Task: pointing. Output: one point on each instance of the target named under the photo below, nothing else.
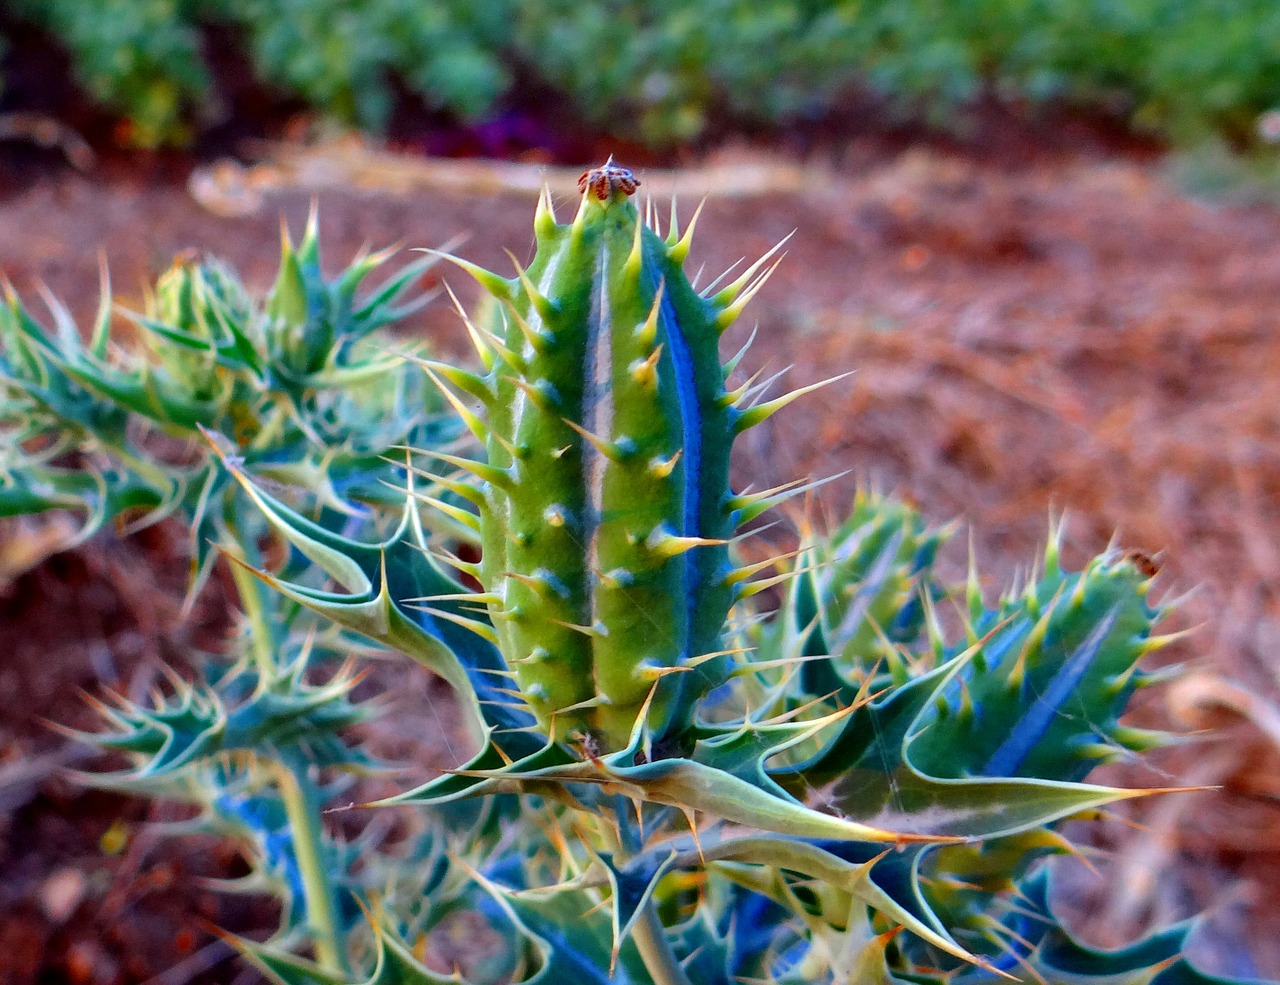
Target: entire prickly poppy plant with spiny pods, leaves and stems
(669, 784)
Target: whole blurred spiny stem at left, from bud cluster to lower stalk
(301, 390)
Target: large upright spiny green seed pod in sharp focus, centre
(605, 505)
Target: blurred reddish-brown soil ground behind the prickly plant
(1035, 328)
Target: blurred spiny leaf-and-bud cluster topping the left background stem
(291, 383)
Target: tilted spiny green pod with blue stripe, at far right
(1043, 695)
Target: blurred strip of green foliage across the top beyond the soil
(660, 71)
